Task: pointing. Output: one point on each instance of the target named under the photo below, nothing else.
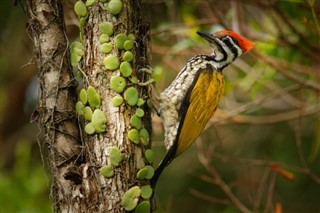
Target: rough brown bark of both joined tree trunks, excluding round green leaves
(75, 157)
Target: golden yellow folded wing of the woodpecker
(203, 101)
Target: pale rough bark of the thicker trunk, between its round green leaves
(108, 194)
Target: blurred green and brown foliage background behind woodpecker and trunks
(260, 152)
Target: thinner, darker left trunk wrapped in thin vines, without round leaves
(56, 106)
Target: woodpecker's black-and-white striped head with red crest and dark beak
(227, 46)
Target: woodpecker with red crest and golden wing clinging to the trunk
(192, 98)
